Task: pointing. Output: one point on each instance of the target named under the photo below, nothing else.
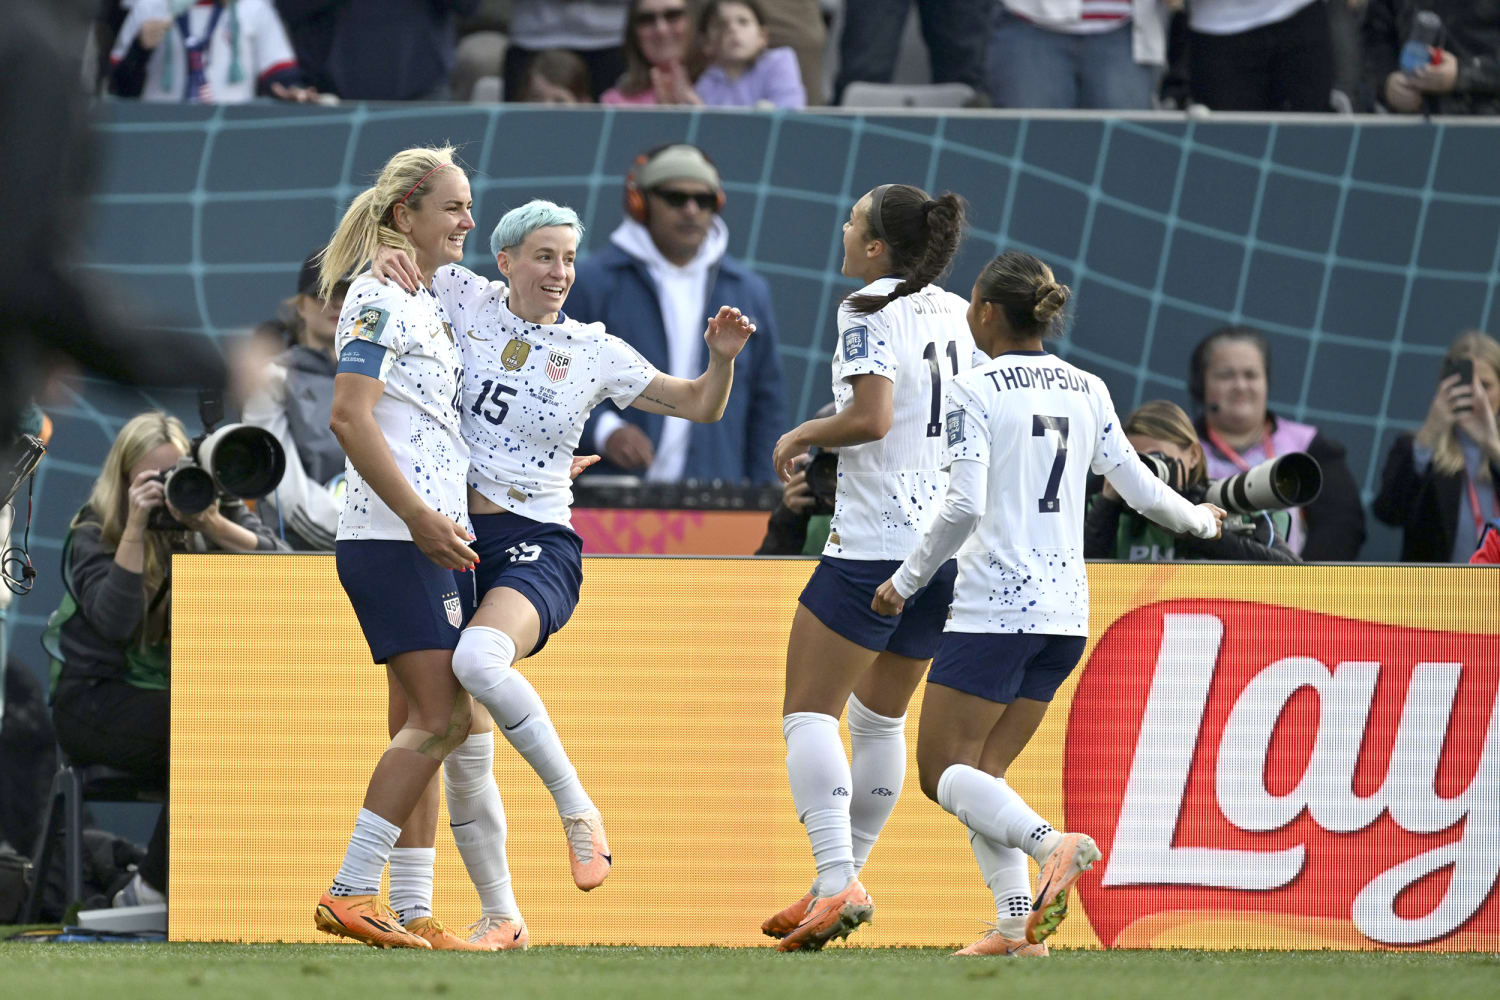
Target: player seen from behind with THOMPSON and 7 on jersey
(1022, 434)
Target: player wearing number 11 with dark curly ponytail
(901, 340)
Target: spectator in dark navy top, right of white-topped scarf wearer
(395, 50)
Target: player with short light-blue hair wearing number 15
(532, 379)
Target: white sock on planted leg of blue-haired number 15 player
(478, 819)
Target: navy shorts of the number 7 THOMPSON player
(1006, 666)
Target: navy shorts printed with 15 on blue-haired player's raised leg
(541, 560)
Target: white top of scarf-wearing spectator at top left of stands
(247, 37)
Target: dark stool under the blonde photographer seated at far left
(65, 807)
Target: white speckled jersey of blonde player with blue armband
(406, 341)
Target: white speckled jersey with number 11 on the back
(890, 488)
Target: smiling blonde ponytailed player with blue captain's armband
(404, 528)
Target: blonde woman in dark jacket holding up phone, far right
(1442, 484)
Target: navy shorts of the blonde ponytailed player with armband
(404, 600)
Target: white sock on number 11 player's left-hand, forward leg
(820, 777)
